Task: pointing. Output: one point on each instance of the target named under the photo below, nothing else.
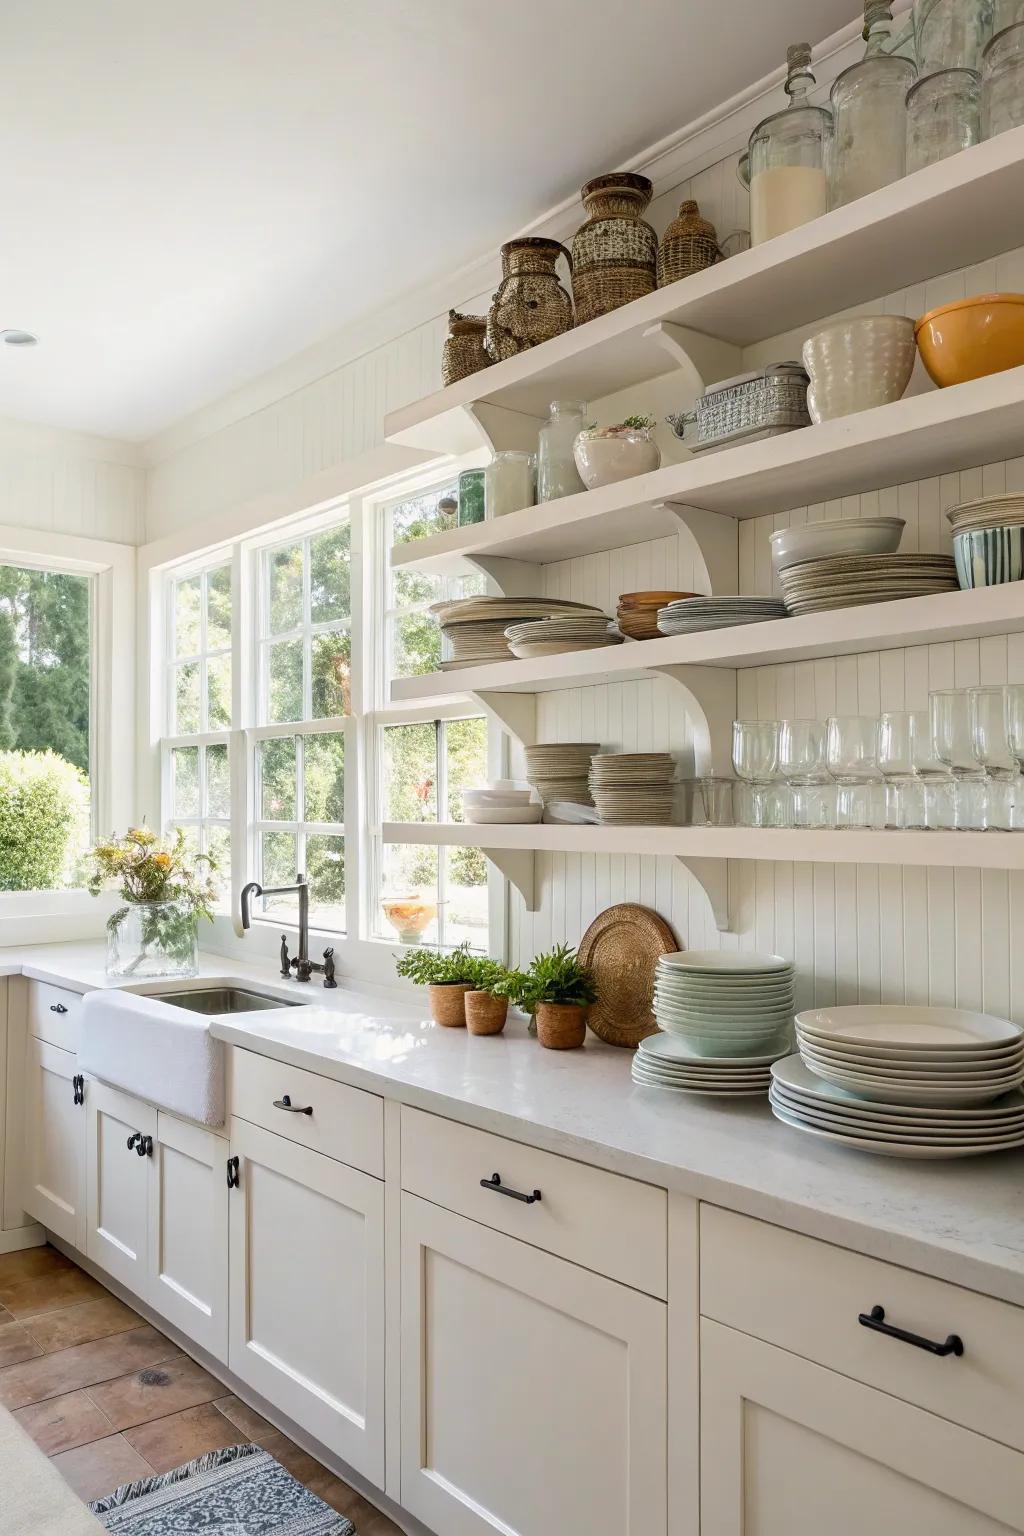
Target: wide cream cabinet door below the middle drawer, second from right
(533, 1391)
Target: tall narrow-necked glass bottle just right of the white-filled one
(868, 150)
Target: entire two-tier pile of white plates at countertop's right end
(905, 1082)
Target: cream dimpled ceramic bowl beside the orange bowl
(857, 365)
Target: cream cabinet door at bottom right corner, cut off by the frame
(793, 1449)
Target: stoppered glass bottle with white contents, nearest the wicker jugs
(788, 157)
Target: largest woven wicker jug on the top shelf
(615, 253)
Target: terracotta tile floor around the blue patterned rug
(111, 1400)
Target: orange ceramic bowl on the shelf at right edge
(973, 337)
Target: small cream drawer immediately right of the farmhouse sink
(345, 1124)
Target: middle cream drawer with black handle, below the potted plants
(612, 1225)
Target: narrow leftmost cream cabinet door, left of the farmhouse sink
(55, 1183)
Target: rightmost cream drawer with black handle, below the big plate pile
(807, 1297)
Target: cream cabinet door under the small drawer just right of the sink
(306, 1317)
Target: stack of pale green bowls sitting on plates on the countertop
(725, 1004)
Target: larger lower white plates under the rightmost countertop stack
(920, 1131)
